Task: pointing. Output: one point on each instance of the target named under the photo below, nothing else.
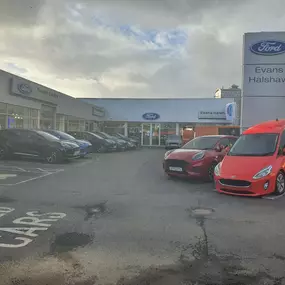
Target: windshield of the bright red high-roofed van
(255, 145)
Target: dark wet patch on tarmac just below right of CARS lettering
(69, 241)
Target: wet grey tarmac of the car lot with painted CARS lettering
(117, 219)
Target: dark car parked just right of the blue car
(99, 144)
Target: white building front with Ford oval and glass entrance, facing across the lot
(152, 119)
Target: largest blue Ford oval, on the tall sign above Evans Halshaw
(268, 47)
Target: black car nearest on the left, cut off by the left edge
(35, 144)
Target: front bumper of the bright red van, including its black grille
(251, 188)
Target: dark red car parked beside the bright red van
(198, 158)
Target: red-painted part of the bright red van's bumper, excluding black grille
(255, 189)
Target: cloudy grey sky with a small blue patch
(132, 48)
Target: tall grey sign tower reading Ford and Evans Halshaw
(263, 77)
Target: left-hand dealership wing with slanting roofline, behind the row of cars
(25, 104)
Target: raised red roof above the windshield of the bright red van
(276, 126)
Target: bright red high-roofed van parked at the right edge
(255, 165)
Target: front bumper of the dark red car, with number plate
(194, 169)
